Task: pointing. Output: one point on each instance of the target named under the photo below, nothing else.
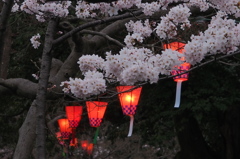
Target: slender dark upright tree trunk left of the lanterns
(42, 90)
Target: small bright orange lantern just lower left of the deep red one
(64, 128)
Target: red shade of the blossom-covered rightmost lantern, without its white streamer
(178, 46)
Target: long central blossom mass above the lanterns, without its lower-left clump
(132, 65)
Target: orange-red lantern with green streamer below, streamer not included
(96, 110)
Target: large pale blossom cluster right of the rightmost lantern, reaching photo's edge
(222, 36)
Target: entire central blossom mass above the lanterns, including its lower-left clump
(129, 67)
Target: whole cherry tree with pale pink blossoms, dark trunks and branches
(137, 58)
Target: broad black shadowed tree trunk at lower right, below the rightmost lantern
(191, 141)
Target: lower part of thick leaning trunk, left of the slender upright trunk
(27, 135)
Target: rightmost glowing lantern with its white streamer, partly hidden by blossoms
(178, 46)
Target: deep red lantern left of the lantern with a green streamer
(74, 115)
